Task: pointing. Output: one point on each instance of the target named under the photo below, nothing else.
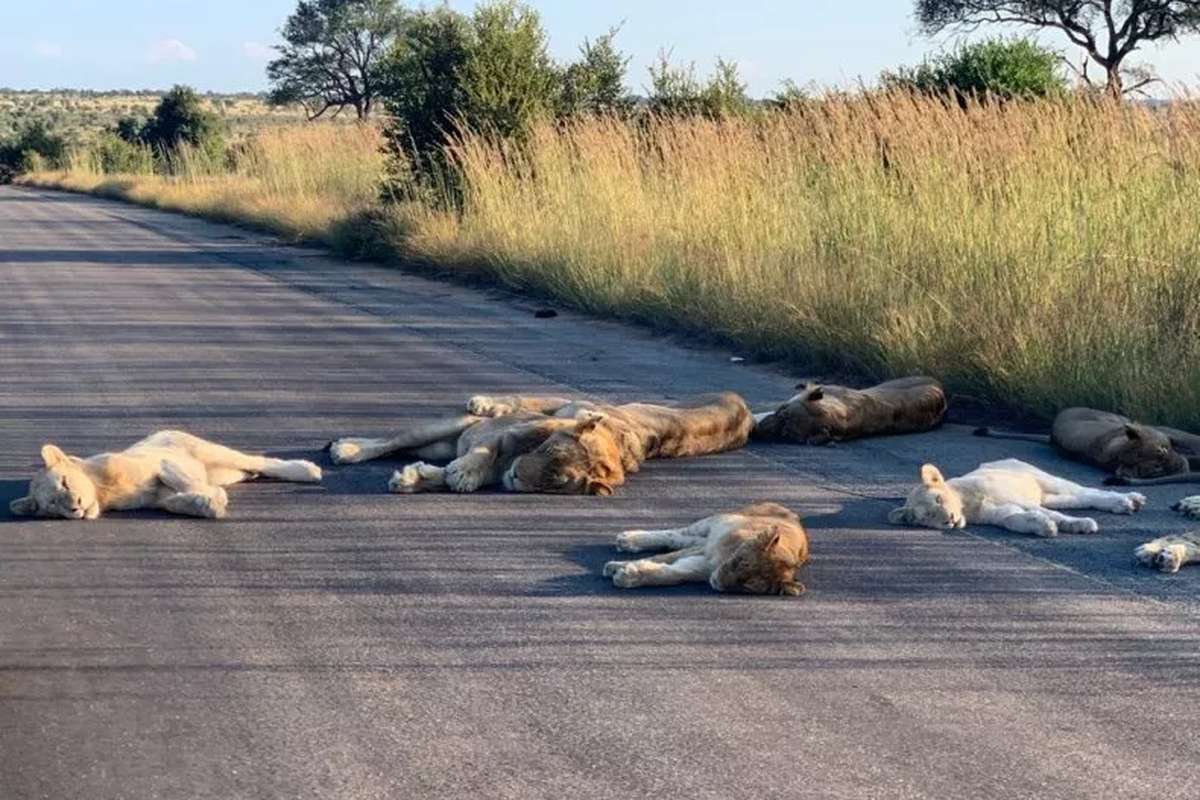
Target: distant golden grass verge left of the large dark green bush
(304, 183)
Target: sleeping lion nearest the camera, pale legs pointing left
(757, 551)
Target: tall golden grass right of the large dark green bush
(1045, 255)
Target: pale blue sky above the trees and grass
(224, 45)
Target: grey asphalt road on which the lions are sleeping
(339, 642)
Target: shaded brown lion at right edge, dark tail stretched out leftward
(1133, 453)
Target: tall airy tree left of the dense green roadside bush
(332, 56)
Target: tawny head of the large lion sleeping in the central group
(591, 459)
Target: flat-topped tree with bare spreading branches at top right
(1107, 31)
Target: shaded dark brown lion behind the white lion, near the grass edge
(819, 414)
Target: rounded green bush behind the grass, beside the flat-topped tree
(1018, 69)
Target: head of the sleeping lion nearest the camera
(765, 564)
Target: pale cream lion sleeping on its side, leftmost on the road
(170, 471)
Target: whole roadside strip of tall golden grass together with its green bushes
(1024, 242)
